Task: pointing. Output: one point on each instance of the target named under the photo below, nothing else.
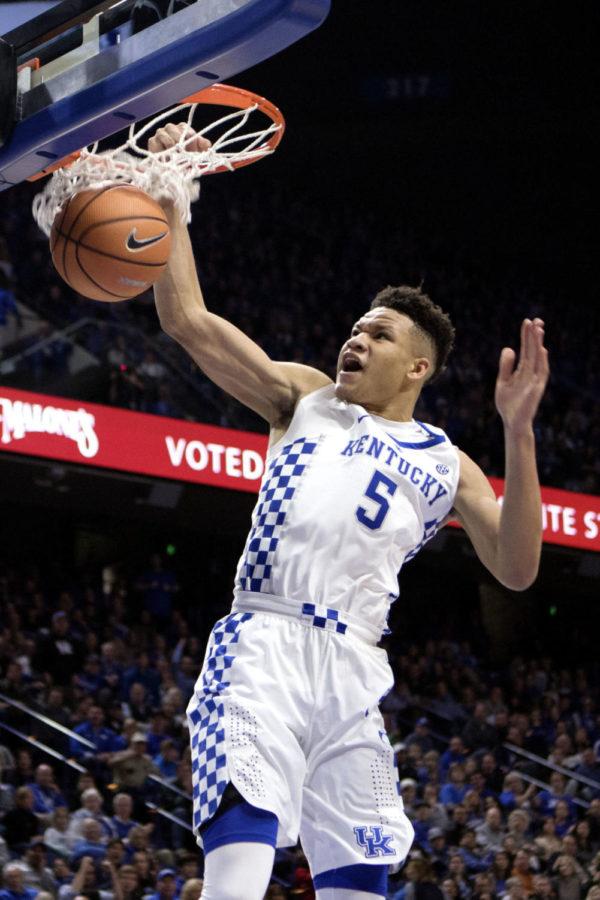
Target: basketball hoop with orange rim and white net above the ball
(171, 174)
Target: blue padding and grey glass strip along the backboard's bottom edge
(205, 43)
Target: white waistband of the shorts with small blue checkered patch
(315, 614)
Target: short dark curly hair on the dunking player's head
(427, 317)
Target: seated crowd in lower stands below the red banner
(498, 765)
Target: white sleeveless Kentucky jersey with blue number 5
(346, 499)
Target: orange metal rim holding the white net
(218, 95)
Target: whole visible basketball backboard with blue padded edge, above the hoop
(81, 74)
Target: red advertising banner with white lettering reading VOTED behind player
(92, 434)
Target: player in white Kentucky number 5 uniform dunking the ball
(285, 729)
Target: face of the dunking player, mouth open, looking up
(379, 361)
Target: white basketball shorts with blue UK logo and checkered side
(286, 708)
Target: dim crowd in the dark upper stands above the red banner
(294, 274)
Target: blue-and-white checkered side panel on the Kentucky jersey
(283, 476)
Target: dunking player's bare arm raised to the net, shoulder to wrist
(224, 353)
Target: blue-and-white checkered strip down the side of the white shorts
(209, 761)
